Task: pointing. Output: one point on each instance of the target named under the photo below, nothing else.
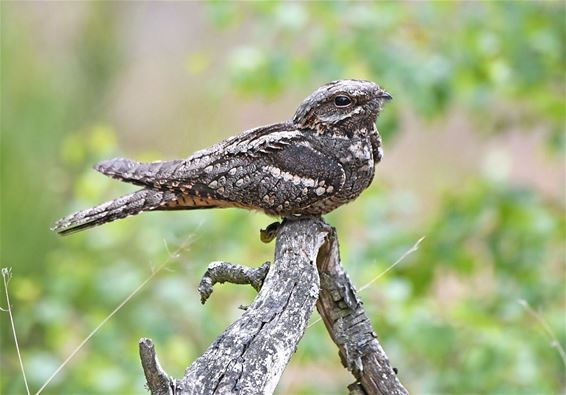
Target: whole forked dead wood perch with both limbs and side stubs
(251, 354)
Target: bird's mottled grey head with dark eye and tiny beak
(341, 103)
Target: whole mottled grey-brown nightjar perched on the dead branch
(319, 160)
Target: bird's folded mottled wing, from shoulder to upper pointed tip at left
(273, 168)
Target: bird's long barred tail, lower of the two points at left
(131, 204)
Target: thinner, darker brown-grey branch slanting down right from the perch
(350, 328)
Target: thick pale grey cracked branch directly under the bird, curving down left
(250, 356)
